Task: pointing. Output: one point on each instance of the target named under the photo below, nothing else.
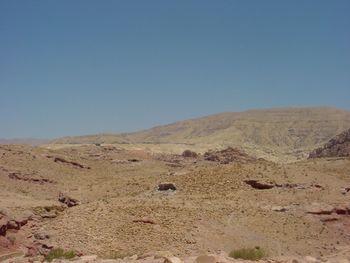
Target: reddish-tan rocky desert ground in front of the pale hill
(118, 203)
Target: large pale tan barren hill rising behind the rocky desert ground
(281, 133)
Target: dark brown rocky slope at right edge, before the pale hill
(339, 146)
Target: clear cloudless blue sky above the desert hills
(83, 67)
